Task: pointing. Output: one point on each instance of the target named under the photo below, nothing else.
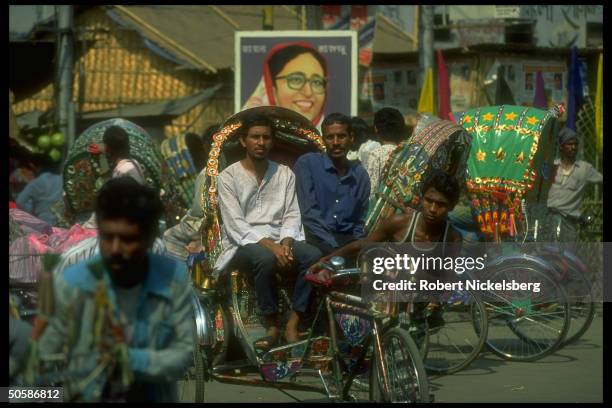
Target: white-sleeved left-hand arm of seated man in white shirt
(234, 221)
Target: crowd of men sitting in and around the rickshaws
(122, 306)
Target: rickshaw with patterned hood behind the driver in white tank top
(435, 144)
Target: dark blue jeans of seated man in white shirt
(259, 264)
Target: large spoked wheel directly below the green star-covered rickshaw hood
(526, 325)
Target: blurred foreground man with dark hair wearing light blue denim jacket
(123, 319)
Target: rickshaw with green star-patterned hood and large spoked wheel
(509, 169)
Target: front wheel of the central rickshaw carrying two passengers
(404, 371)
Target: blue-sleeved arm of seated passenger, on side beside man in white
(311, 213)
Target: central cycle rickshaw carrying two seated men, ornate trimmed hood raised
(348, 346)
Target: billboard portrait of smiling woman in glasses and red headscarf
(311, 72)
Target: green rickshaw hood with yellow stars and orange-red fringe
(510, 160)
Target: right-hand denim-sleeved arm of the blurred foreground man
(169, 361)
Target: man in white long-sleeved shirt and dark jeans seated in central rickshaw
(262, 228)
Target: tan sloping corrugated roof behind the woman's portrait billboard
(202, 36)
